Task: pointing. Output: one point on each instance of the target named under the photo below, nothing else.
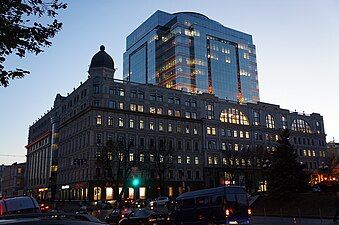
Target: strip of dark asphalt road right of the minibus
(258, 220)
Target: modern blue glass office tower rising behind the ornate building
(188, 51)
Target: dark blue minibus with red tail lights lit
(221, 205)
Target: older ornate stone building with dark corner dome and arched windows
(107, 129)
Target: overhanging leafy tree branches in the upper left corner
(23, 29)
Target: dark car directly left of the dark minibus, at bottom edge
(145, 217)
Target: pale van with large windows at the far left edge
(17, 205)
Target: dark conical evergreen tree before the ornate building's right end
(285, 173)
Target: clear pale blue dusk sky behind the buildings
(297, 52)
